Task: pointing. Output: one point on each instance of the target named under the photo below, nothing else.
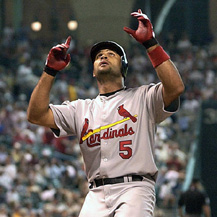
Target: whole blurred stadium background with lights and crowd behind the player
(43, 176)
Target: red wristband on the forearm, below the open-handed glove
(158, 56)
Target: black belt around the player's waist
(121, 179)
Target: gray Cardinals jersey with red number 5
(116, 132)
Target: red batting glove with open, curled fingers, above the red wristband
(144, 33)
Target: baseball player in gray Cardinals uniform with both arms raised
(116, 130)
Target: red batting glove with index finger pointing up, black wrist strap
(58, 58)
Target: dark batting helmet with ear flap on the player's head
(112, 46)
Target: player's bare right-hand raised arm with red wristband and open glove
(167, 72)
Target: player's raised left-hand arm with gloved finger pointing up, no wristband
(38, 110)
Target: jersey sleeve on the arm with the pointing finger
(64, 117)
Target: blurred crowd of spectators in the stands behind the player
(43, 176)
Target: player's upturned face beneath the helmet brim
(107, 62)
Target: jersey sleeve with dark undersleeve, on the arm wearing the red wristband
(155, 104)
